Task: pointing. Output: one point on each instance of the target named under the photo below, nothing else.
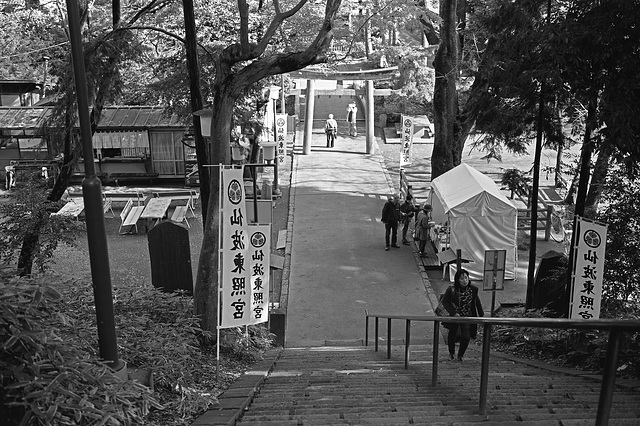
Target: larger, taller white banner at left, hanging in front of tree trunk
(235, 288)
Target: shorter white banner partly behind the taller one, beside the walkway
(260, 268)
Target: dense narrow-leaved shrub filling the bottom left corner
(46, 380)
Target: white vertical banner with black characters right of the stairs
(589, 252)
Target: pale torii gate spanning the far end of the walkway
(369, 76)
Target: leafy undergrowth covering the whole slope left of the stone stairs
(52, 375)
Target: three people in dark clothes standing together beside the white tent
(394, 213)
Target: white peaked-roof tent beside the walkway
(479, 215)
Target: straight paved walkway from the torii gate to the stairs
(339, 266)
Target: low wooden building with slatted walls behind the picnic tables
(131, 143)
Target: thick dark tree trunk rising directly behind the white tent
(445, 104)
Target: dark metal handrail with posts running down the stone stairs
(614, 326)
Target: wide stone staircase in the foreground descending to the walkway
(355, 385)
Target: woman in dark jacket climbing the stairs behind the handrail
(461, 300)
